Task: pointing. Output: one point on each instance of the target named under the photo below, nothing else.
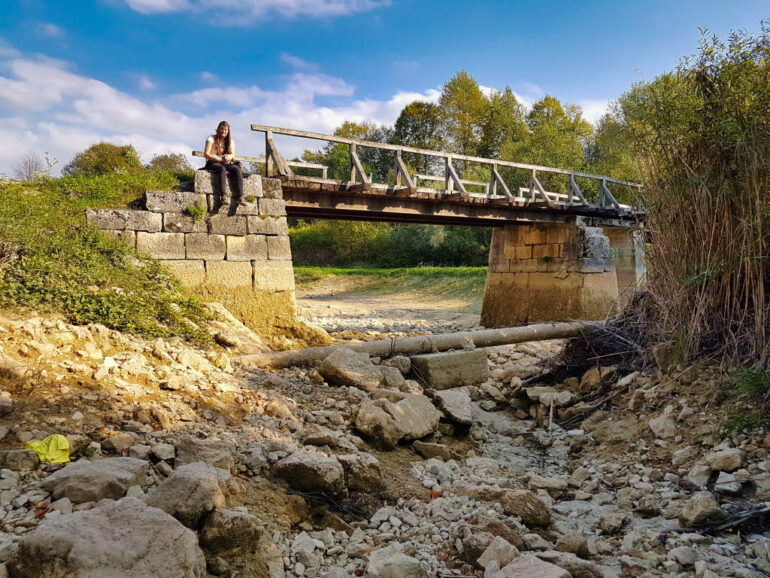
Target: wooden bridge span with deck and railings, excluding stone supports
(451, 201)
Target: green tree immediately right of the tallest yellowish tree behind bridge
(504, 123)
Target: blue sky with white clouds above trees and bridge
(160, 74)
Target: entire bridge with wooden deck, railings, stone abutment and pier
(553, 256)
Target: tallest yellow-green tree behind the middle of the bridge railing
(463, 111)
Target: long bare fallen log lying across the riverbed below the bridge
(424, 343)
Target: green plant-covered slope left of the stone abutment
(51, 261)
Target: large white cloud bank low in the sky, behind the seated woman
(50, 108)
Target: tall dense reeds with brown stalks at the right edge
(703, 137)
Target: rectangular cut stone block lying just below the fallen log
(451, 368)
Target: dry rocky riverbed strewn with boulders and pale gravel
(185, 463)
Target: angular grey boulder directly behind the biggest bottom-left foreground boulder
(190, 493)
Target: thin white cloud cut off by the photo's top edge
(241, 12)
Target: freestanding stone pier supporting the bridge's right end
(560, 271)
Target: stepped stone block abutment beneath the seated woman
(235, 246)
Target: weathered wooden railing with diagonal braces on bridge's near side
(407, 182)
